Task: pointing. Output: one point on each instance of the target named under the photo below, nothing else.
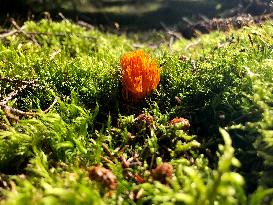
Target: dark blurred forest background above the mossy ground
(131, 14)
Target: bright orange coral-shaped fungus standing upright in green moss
(140, 75)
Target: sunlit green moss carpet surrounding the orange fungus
(223, 80)
